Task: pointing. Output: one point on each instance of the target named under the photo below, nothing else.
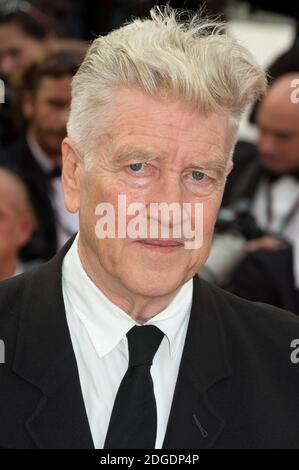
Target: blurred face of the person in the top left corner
(17, 51)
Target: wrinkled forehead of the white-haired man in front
(151, 128)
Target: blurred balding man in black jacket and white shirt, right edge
(267, 177)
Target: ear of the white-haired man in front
(72, 166)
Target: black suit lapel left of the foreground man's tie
(45, 358)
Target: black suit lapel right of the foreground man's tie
(194, 422)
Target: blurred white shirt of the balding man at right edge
(284, 195)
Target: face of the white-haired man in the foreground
(155, 152)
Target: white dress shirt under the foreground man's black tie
(98, 331)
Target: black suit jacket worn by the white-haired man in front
(236, 387)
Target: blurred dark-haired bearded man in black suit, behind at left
(45, 96)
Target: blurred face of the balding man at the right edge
(278, 121)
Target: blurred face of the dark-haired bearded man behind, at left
(48, 112)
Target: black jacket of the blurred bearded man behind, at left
(18, 158)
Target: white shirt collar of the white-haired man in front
(105, 322)
